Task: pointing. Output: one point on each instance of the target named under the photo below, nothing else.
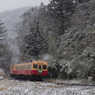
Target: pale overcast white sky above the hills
(13, 4)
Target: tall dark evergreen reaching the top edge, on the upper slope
(61, 10)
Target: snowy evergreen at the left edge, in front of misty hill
(5, 55)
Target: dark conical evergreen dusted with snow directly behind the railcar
(34, 42)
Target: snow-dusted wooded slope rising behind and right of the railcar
(62, 33)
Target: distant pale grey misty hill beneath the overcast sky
(10, 18)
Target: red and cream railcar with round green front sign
(33, 69)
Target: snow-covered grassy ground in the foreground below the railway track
(15, 87)
